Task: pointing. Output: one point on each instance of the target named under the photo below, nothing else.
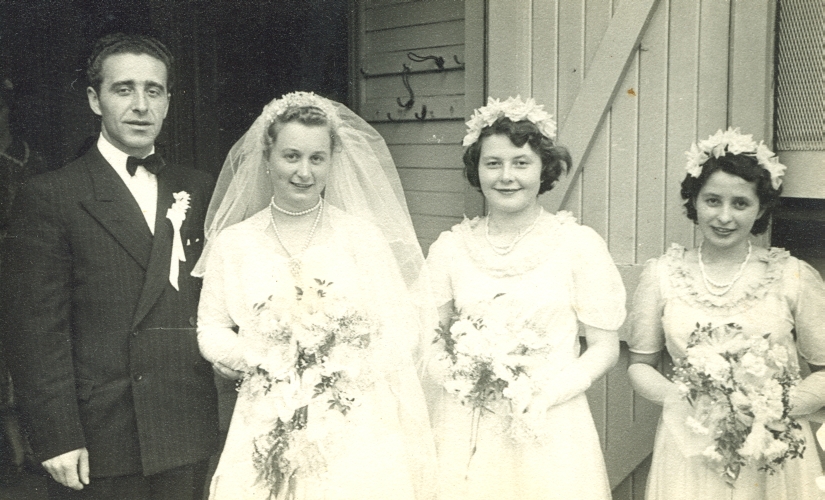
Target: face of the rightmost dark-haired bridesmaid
(727, 207)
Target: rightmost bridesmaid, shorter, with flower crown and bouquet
(777, 304)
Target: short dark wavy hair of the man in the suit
(120, 43)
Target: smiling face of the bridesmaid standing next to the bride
(509, 176)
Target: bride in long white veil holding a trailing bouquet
(313, 261)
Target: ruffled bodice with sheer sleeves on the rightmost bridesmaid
(778, 294)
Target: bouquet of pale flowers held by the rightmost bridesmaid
(738, 385)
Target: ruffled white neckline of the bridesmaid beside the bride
(529, 253)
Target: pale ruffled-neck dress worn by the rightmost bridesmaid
(782, 296)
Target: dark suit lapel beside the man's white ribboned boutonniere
(157, 272)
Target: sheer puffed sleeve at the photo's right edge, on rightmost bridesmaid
(809, 313)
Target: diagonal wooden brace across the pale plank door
(598, 89)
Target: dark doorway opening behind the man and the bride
(232, 57)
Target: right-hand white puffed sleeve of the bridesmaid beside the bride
(599, 294)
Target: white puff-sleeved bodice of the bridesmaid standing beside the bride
(559, 274)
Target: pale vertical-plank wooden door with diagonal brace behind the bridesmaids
(632, 84)
